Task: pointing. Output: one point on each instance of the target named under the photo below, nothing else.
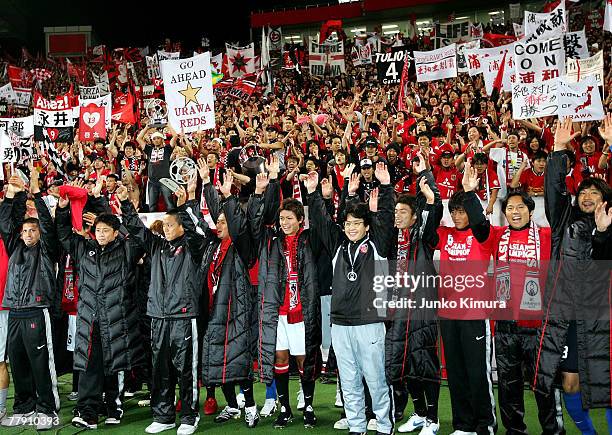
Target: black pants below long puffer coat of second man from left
(93, 382)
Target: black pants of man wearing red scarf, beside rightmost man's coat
(516, 348)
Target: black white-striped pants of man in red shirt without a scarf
(468, 352)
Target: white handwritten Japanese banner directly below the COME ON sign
(534, 100)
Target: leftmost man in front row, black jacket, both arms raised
(30, 294)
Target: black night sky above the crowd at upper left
(132, 23)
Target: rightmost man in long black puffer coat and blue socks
(575, 335)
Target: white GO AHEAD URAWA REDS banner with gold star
(189, 93)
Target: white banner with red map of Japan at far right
(580, 101)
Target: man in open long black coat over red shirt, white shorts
(289, 301)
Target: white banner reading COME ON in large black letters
(540, 60)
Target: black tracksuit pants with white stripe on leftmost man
(30, 351)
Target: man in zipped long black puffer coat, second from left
(107, 339)
